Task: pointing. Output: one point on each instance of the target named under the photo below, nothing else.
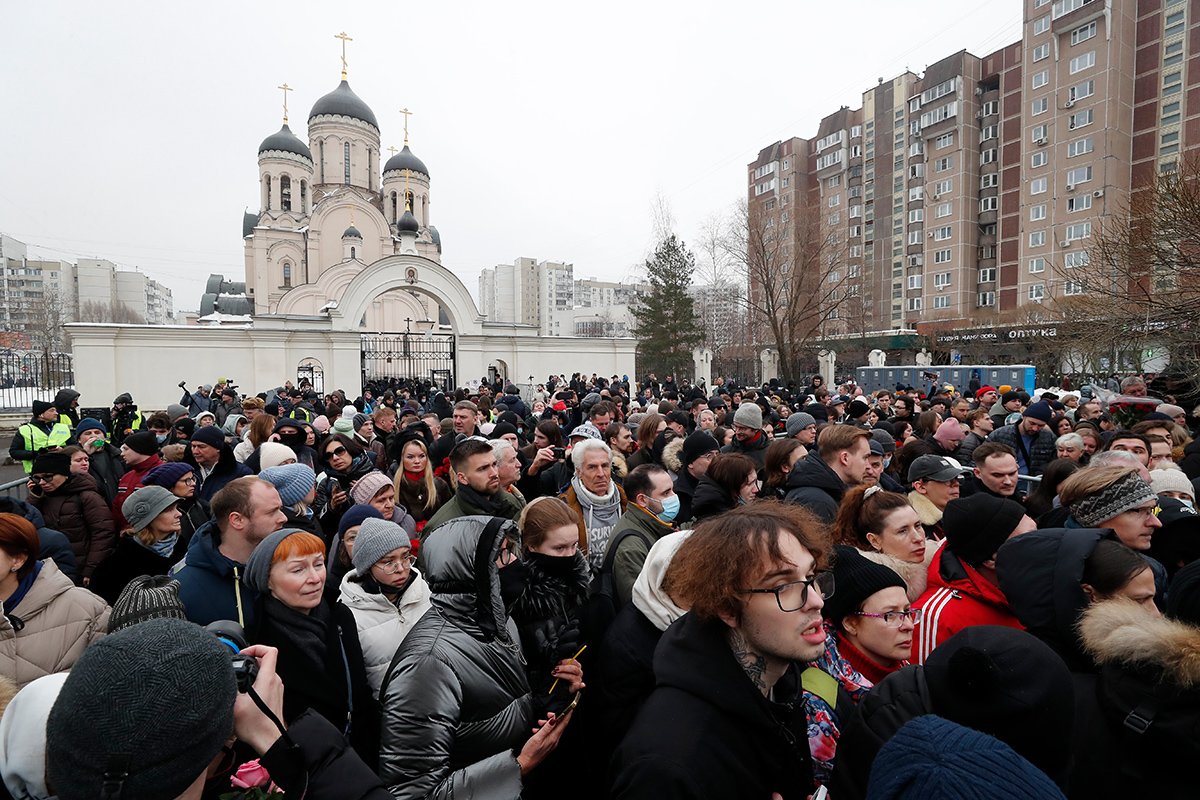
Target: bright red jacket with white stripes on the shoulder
(957, 598)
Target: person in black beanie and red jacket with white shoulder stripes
(963, 588)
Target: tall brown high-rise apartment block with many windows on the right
(977, 187)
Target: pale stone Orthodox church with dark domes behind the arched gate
(331, 208)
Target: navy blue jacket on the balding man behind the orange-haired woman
(211, 585)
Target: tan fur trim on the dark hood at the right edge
(1120, 633)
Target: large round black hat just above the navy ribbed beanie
(997, 679)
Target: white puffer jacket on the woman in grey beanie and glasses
(382, 625)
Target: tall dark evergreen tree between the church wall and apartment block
(668, 327)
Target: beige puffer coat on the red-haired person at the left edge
(61, 621)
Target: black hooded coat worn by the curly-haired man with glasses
(707, 732)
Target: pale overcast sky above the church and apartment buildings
(129, 131)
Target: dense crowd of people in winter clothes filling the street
(607, 587)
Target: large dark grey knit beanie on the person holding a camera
(158, 703)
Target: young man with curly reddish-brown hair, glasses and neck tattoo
(734, 727)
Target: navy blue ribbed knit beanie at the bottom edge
(932, 759)
